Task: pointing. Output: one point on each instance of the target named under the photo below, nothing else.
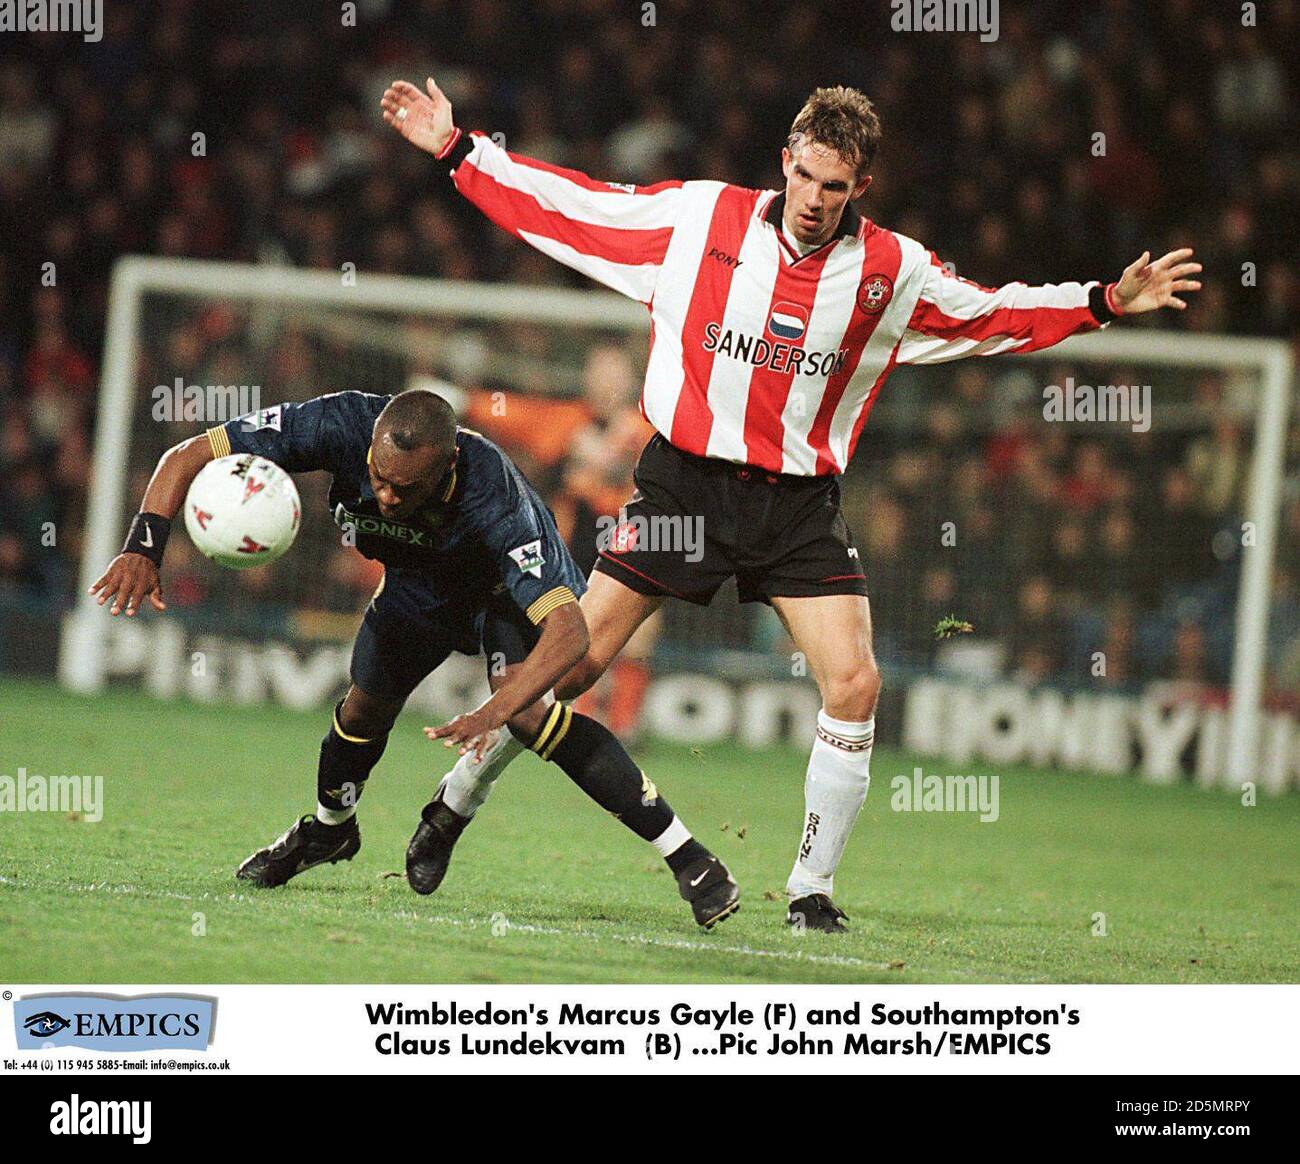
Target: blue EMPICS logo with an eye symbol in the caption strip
(110, 1023)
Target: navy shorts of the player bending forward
(408, 633)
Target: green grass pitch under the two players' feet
(545, 888)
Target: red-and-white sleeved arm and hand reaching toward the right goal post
(956, 318)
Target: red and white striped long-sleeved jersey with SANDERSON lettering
(759, 354)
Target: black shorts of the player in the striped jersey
(695, 522)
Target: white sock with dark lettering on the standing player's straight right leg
(834, 793)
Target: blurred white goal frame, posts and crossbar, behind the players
(137, 282)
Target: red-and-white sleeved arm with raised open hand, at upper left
(614, 233)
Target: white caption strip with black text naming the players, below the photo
(699, 1029)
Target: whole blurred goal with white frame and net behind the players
(1082, 557)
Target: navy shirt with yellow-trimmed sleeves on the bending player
(486, 530)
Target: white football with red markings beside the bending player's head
(242, 510)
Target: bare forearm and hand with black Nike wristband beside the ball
(133, 575)
